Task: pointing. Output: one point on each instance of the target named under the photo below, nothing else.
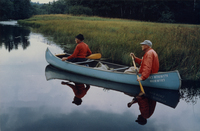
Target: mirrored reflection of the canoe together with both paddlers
(147, 103)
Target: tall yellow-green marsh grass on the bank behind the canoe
(177, 45)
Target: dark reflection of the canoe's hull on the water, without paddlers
(167, 97)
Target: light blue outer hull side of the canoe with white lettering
(164, 80)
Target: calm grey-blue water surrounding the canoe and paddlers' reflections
(28, 102)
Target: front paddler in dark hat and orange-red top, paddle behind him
(81, 51)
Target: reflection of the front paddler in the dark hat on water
(79, 90)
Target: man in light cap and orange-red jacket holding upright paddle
(150, 62)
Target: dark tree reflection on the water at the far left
(13, 36)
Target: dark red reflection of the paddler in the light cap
(146, 107)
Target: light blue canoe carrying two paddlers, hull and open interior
(115, 72)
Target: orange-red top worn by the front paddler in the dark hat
(81, 51)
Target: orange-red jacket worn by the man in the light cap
(149, 63)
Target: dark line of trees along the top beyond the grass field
(171, 11)
